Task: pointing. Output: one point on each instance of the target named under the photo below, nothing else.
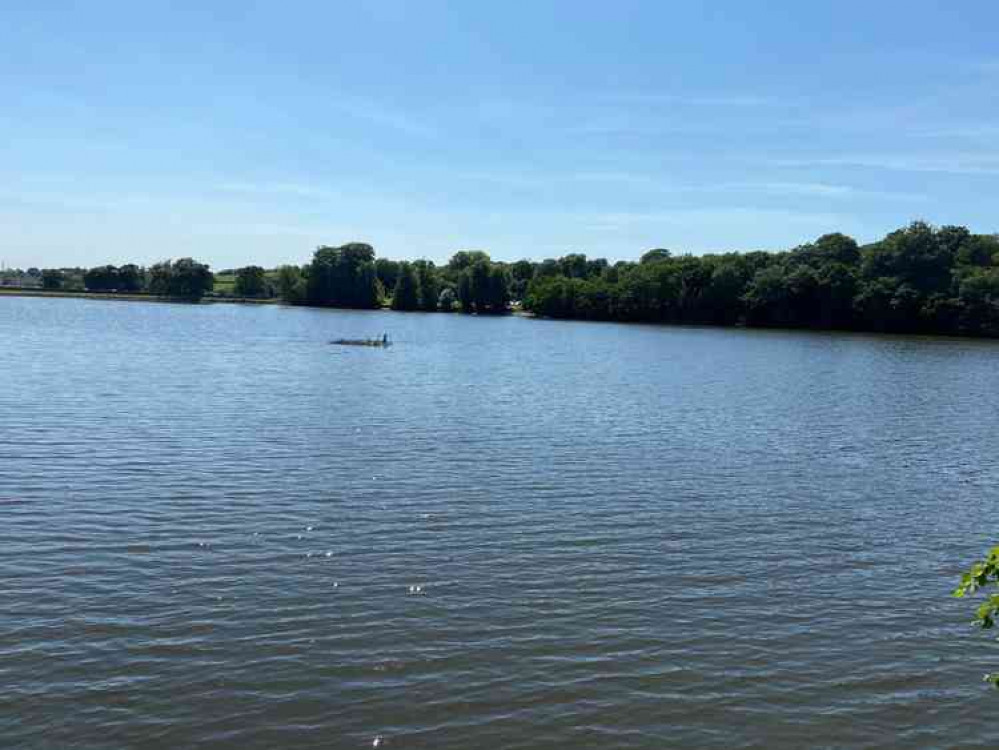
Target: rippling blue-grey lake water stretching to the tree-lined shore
(628, 537)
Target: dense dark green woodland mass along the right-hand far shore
(917, 279)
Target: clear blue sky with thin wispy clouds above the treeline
(252, 132)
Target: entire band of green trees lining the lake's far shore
(919, 279)
